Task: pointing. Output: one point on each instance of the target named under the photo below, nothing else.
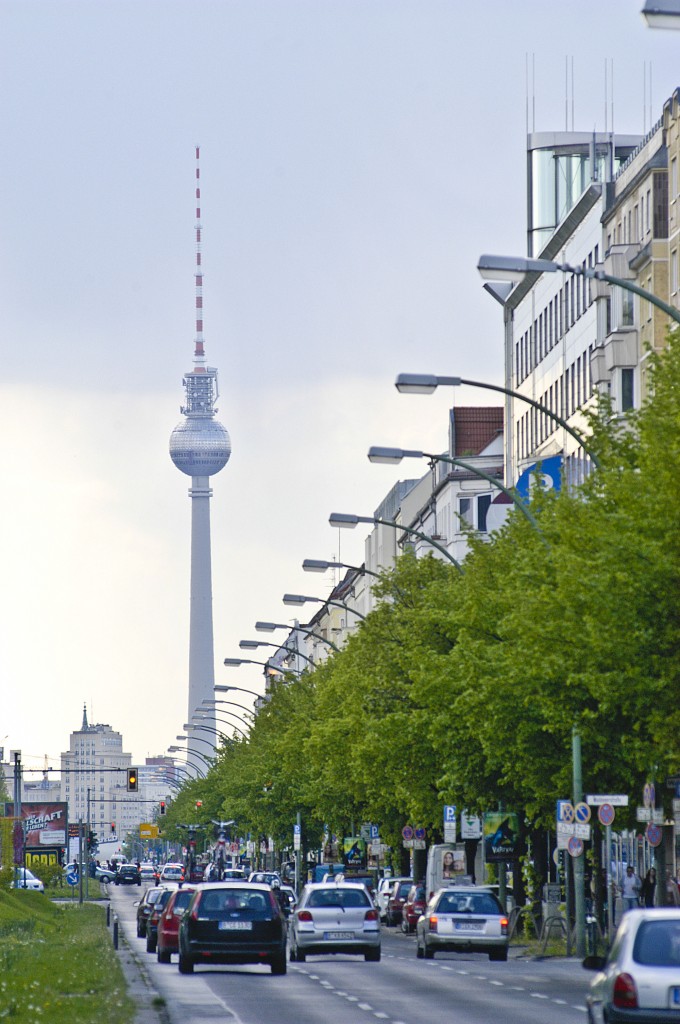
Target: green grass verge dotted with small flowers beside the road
(58, 964)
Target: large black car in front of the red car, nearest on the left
(233, 923)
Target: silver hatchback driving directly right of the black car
(335, 918)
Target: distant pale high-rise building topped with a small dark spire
(95, 781)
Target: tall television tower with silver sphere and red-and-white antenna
(200, 447)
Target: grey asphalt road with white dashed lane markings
(401, 990)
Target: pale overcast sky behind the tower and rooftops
(358, 156)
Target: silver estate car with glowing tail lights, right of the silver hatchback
(463, 919)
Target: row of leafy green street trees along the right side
(464, 689)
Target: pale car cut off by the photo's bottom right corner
(640, 979)
